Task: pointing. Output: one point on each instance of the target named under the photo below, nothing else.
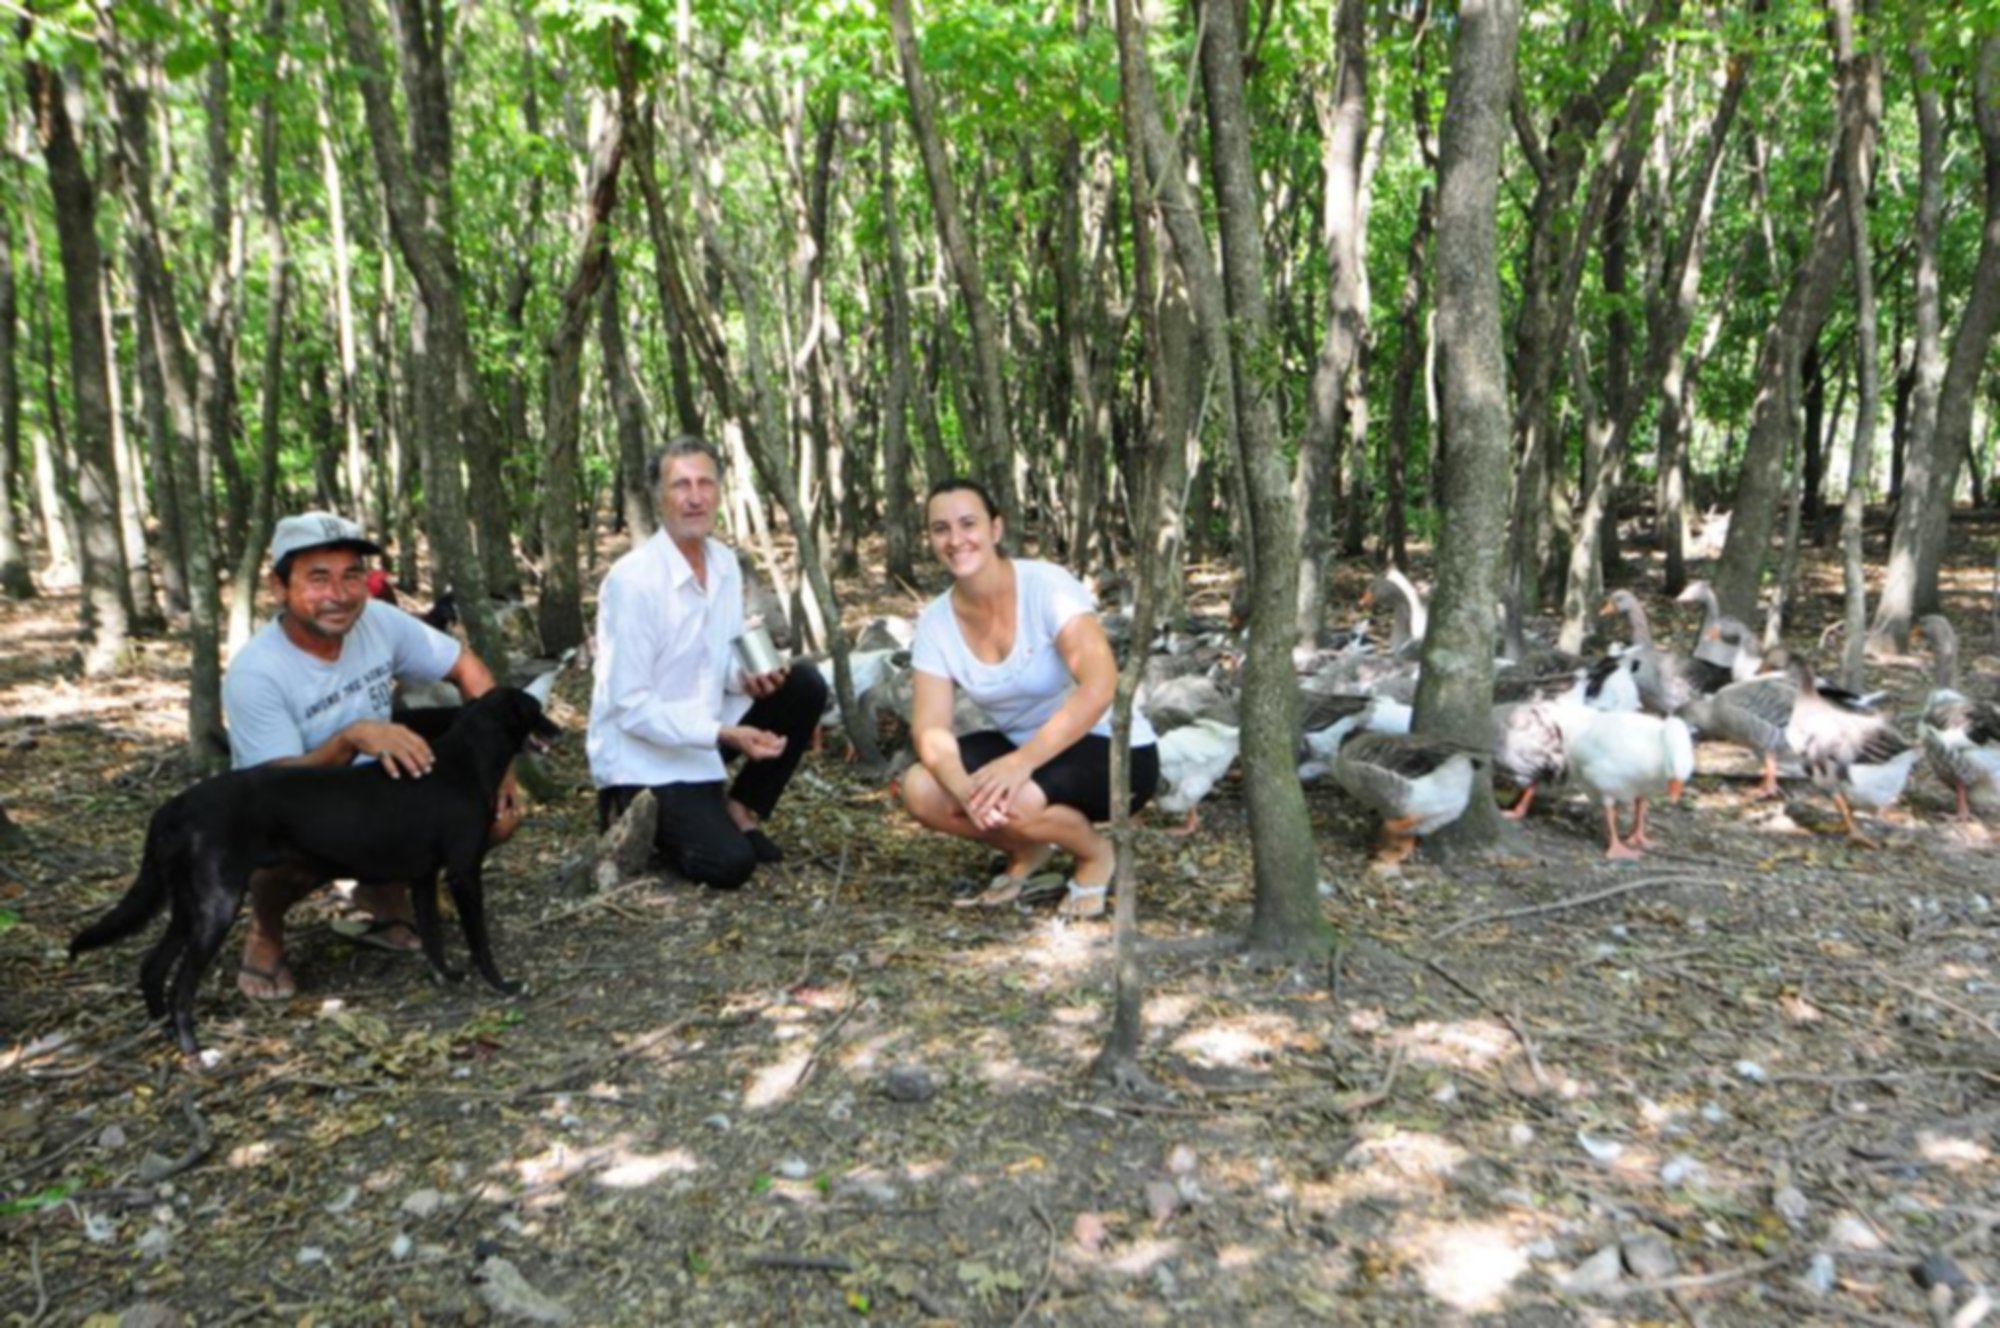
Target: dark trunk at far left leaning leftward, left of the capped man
(107, 603)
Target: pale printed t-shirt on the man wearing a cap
(281, 701)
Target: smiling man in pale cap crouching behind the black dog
(313, 689)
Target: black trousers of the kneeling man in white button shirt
(695, 833)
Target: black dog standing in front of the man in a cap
(349, 823)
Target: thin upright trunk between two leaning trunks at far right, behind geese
(1861, 111)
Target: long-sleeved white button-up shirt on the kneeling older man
(667, 677)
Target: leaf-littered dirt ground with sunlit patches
(1747, 1081)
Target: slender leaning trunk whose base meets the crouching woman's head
(991, 431)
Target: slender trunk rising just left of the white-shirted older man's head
(561, 613)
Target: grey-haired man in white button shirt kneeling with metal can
(671, 705)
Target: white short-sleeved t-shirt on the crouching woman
(1033, 681)
